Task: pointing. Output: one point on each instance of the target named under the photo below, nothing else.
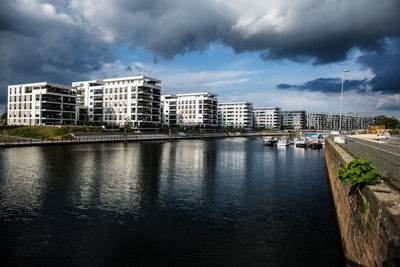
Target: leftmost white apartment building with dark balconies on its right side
(41, 103)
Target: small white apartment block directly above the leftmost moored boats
(267, 118)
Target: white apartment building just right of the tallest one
(190, 110)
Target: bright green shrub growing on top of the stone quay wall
(358, 172)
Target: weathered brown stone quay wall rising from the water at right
(369, 219)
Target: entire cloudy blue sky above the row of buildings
(288, 54)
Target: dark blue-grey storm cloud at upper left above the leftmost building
(38, 43)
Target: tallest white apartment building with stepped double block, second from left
(116, 101)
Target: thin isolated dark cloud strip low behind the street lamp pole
(327, 85)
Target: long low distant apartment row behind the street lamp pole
(324, 121)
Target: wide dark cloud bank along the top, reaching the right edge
(302, 30)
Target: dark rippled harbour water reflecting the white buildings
(224, 202)
